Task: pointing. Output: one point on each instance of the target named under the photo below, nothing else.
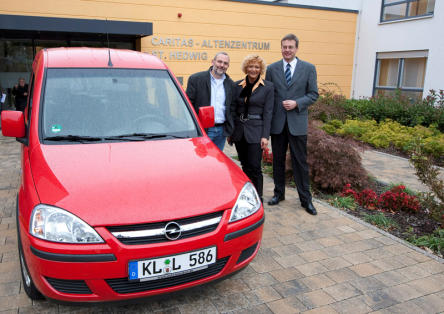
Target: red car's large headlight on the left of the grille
(58, 225)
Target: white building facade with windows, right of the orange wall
(399, 47)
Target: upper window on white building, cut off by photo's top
(402, 9)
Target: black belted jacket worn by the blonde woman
(261, 103)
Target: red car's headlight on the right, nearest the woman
(247, 203)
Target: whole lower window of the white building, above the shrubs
(403, 71)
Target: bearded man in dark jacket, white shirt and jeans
(214, 88)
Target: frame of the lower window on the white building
(400, 75)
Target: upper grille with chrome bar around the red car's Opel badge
(155, 232)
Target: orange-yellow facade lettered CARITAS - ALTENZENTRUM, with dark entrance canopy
(184, 34)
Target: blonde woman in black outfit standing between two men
(252, 110)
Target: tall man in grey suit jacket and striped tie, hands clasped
(295, 88)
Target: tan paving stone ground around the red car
(330, 263)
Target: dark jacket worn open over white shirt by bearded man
(199, 93)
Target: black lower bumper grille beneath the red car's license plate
(123, 285)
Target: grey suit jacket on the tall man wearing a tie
(303, 89)
